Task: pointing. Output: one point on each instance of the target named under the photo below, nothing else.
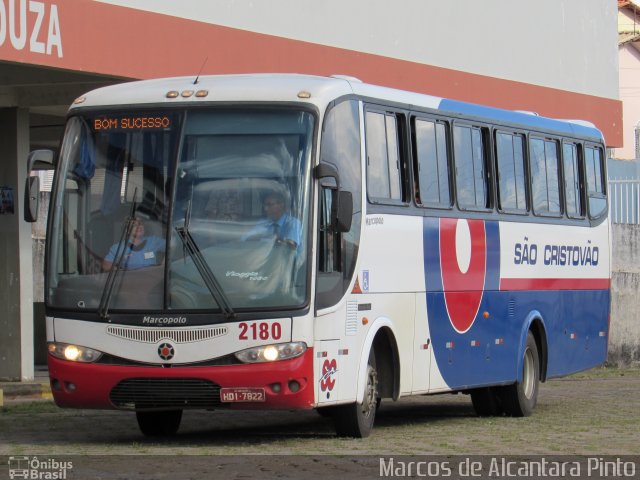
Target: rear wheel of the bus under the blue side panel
(520, 399)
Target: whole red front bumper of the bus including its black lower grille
(287, 384)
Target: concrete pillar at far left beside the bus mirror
(16, 265)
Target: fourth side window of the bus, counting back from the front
(510, 164)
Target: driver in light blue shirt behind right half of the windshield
(279, 223)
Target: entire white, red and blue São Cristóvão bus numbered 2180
(426, 245)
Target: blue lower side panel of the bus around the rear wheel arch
(488, 353)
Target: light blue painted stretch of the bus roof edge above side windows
(525, 120)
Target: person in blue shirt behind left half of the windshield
(141, 251)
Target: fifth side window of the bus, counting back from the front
(545, 187)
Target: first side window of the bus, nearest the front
(384, 178)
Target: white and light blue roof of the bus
(315, 90)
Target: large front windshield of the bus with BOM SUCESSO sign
(193, 210)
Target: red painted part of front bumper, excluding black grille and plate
(78, 385)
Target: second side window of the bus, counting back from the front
(431, 152)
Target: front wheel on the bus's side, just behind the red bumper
(356, 419)
